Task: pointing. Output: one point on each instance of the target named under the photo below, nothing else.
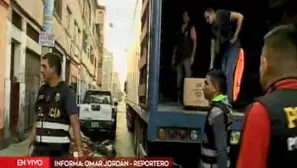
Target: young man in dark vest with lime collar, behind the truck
(215, 144)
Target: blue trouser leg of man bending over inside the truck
(228, 67)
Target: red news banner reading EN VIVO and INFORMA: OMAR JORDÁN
(46, 162)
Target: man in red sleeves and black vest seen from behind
(269, 137)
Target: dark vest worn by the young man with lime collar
(208, 143)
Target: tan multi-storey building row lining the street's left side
(76, 41)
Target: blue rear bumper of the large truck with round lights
(180, 121)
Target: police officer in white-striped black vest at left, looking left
(56, 112)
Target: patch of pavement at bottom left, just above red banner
(17, 149)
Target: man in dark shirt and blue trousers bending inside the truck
(227, 36)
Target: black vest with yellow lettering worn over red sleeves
(281, 106)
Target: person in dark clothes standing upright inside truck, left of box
(184, 53)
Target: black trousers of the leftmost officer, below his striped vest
(51, 150)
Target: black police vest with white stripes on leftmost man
(52, 125)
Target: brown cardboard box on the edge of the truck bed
(193, 92)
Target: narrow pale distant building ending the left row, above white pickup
(107, 69)
